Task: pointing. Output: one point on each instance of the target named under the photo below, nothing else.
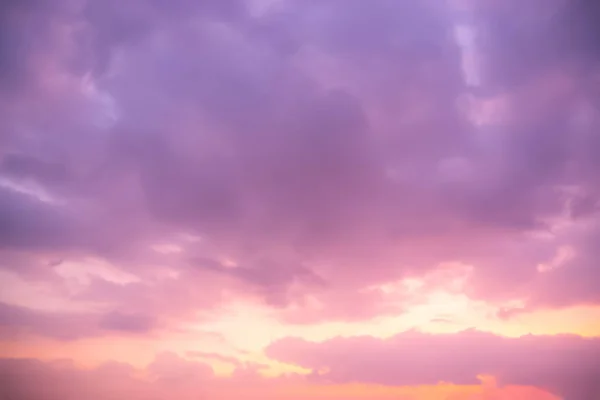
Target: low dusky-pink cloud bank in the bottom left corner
(166, 376)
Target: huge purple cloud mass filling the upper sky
(318, 146)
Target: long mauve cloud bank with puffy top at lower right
(566, 365)
